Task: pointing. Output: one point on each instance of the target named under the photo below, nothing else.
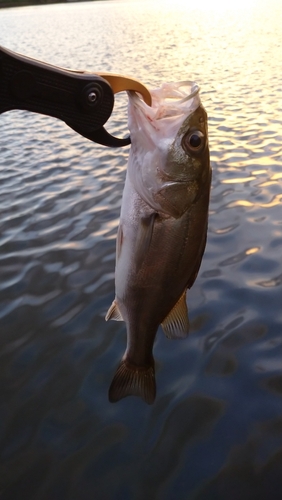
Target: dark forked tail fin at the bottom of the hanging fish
(132, 380)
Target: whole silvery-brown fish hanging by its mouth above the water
(162, 230)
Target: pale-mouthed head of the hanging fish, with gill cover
(169, 163)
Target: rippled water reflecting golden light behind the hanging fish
(215, 430)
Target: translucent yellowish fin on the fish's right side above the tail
(176, 324)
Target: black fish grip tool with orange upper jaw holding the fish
(84, 101)
